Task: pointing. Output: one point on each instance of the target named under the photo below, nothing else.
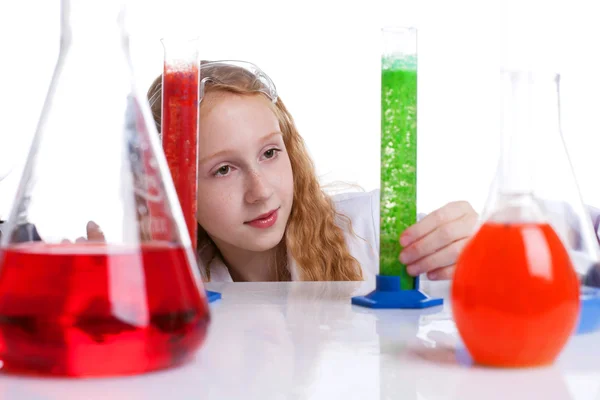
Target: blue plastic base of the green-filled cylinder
(388, 294)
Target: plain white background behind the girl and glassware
(324, 58)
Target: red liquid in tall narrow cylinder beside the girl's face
(180, 137)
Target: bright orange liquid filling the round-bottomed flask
(515, 295)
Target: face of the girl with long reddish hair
(245, 184)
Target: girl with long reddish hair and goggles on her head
(262, 215)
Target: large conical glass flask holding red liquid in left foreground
(97, 272)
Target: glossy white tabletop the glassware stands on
(305, 340)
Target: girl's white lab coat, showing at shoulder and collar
(362, 208)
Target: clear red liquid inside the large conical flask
(103, 311)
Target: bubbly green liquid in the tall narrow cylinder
(398, 202)
